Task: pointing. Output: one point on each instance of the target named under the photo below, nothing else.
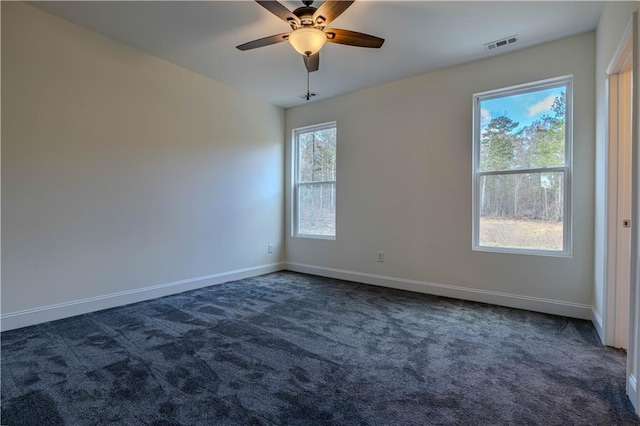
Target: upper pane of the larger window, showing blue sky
(526, 130)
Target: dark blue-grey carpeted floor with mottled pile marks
(294, 349)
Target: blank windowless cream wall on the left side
(121, 172)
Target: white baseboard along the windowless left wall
(42, 314)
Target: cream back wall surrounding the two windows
(404, 185)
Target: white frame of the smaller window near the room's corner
(295, 205)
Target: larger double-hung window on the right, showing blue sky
(522, 169)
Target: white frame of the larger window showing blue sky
(567, 169)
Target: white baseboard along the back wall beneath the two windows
(555, 307)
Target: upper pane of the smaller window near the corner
(317, 155)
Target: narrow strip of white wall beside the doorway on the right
(613, 22)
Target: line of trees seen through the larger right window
(535, 195)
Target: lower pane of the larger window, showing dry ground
(522, 211)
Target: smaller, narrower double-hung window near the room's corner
(315, 181)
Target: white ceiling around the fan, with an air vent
(421, 36)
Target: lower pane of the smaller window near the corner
(317, 209)
